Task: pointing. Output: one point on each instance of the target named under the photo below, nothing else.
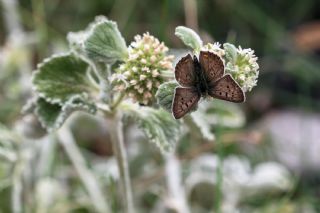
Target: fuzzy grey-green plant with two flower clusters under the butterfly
(103, 76)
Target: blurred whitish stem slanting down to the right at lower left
(69, 144)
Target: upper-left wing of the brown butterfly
(185, 72)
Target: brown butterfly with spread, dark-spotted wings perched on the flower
(199, 78)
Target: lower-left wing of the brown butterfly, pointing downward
(184, 101)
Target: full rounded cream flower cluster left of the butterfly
(140, 75)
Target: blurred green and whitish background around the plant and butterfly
(270, 145)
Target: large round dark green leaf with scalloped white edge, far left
(60, 77)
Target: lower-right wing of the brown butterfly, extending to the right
(227, 89)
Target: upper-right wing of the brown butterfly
(212, 66)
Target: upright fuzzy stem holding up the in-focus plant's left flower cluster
(115, 126)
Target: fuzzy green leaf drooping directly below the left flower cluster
(159, 126)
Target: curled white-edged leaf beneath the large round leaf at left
(52, 116)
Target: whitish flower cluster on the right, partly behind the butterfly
(244, 69)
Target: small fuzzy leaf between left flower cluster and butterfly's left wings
(165, 95)
